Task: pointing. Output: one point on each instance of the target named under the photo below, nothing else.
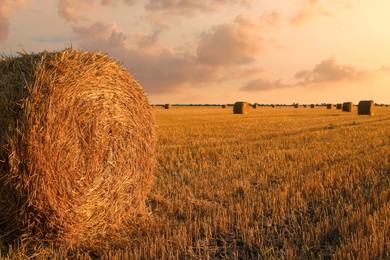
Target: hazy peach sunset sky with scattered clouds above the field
(220, 51)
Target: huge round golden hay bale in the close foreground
(77, 144)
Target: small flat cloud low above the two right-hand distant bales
(328, 71)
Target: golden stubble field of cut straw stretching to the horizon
(279, 183)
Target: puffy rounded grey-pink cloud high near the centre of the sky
(230, 43)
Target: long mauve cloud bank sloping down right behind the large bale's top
(159, 71)
